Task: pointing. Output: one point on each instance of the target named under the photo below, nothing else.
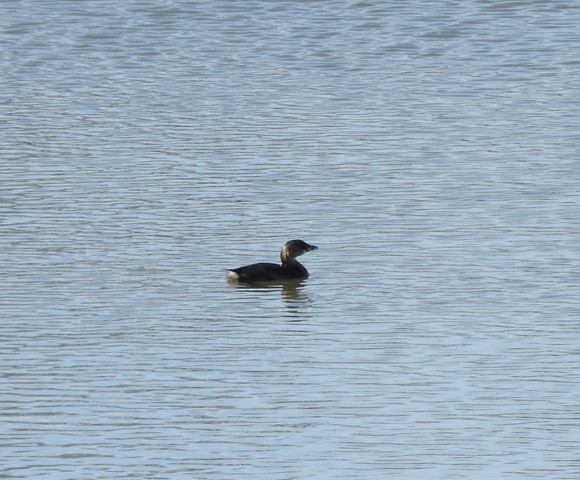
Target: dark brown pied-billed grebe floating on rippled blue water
(290, 269)
